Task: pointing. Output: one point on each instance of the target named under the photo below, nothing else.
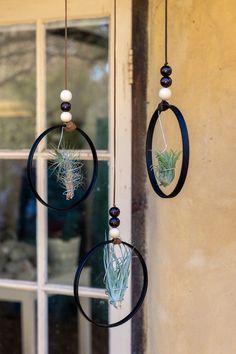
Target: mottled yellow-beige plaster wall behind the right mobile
(191, 305)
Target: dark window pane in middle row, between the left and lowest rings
(78, 230)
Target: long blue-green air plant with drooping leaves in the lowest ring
(117, 262)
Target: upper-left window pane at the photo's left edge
(17, 86)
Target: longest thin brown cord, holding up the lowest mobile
(114, 102)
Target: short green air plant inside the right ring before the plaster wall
(165, 168)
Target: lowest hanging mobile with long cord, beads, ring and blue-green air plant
(117, 254)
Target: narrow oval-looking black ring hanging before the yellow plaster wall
(185, 142)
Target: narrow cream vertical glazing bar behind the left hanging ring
(41, 177)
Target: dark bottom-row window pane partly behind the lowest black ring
(70, 333)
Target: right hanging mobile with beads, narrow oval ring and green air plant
(162, 172)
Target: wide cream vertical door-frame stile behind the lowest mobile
(123, 158)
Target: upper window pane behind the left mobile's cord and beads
(87, 76)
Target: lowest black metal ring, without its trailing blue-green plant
(142, 295)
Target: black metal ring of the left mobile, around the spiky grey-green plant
(30, 167)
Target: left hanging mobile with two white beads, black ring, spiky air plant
(66, 166)
